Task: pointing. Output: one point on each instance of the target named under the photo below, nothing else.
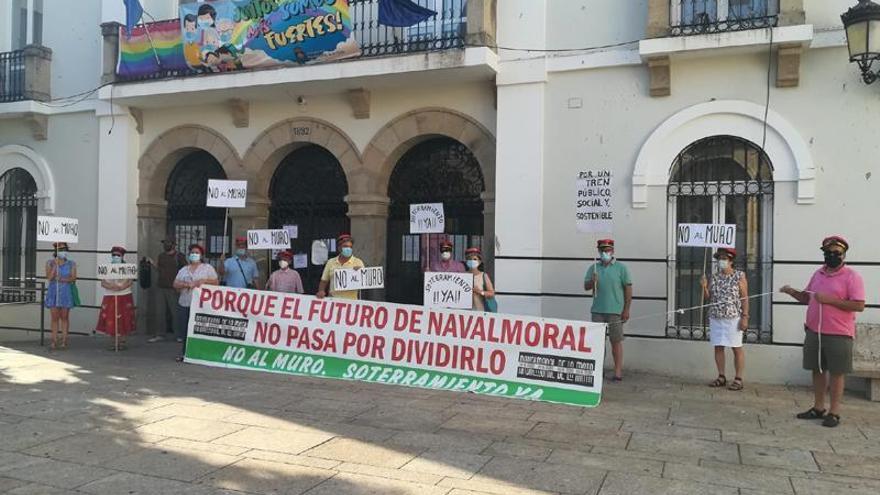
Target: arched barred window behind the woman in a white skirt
(722, 180)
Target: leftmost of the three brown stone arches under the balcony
(163, 154)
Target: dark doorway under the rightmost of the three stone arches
(438, 170)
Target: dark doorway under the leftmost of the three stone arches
(189, 220)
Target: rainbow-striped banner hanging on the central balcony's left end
(138, 53)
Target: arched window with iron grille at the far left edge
(18, 233)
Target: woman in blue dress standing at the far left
(61, 274)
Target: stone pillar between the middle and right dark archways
(369, 227)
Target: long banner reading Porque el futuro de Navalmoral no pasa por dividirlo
(488, 353)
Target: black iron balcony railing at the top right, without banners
(689, 17)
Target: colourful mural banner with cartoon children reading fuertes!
(228, 35)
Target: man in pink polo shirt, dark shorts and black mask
(833, 296)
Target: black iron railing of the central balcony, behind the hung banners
(446, 30)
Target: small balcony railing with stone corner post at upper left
(25, 74)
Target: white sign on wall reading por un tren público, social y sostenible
(594, 205)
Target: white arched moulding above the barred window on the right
(787, 150)
